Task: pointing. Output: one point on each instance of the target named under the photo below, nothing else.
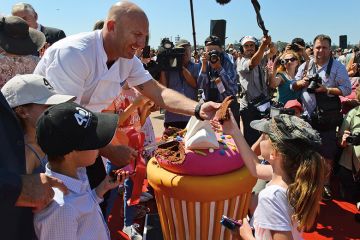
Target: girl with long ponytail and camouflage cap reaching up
(290, 201)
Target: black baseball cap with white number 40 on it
(68, 126)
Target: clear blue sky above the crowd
(285, 19)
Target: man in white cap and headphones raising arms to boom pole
(251, 69)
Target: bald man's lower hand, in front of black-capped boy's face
(119, 155)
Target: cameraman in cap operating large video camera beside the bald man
(182, 81)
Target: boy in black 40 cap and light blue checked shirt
(70, 135)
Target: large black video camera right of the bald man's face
(169, 57)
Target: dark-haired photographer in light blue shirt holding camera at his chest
(321, 82)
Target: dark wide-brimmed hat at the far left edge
(16, 37)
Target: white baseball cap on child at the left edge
(31, 88)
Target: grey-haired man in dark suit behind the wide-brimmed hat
(28, 13)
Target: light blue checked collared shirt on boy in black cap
(76, 215)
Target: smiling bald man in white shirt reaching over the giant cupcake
(93, 66)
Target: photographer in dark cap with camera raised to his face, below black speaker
(218, 75)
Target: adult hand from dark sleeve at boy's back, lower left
(37, 191)
